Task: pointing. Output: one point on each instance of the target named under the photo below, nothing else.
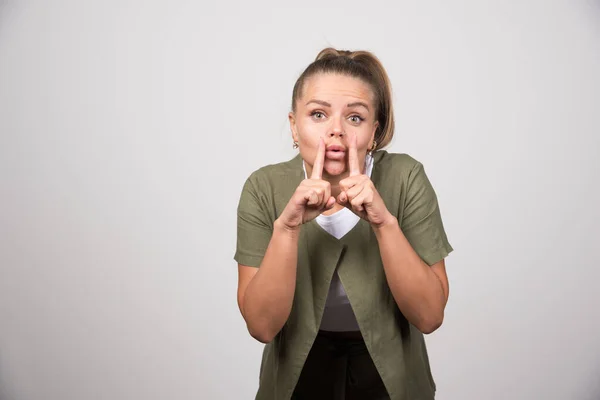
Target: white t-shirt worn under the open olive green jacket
(338, 315)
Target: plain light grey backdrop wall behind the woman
(128, 129)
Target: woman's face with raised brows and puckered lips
(333, 107)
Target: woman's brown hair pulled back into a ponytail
(362, 65)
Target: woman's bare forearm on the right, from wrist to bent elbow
(416, 288)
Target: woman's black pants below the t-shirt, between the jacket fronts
(339, 369)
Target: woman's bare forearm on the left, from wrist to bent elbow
(269, 295)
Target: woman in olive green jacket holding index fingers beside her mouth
(341, 250)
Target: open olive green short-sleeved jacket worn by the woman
(396, 347)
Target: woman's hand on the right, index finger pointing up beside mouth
(358, 193)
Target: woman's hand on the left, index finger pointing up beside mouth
(311, 198)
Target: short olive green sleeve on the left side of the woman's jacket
(254, 226)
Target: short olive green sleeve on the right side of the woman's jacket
(422, 222)
